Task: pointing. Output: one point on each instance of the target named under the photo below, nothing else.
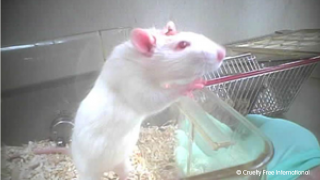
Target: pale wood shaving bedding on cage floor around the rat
(153, 158)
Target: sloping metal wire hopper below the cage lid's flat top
(268, 93)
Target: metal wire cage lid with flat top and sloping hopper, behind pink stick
(272, 92)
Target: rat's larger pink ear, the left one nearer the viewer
(143, 41)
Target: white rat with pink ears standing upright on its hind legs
(141, 77)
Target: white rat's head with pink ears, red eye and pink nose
(173, 55)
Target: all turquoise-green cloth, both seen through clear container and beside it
(295, 148)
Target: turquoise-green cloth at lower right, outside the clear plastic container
(295, 148)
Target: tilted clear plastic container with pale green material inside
(214, 140)
